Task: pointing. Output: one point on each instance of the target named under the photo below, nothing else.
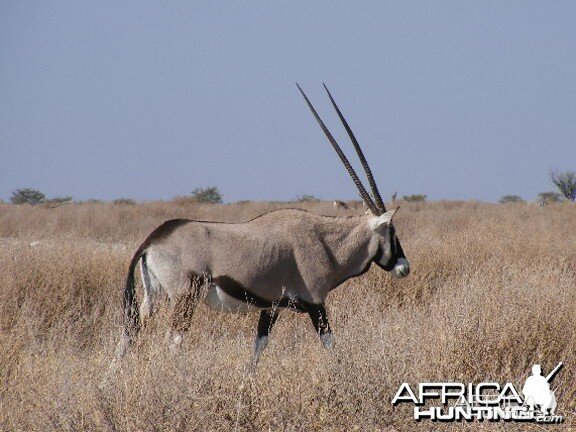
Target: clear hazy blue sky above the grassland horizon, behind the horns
(149, 100)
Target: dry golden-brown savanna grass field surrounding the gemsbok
(492, 291)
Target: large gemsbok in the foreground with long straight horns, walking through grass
(284, 259)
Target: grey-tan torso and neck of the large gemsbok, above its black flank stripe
(289, 254)
